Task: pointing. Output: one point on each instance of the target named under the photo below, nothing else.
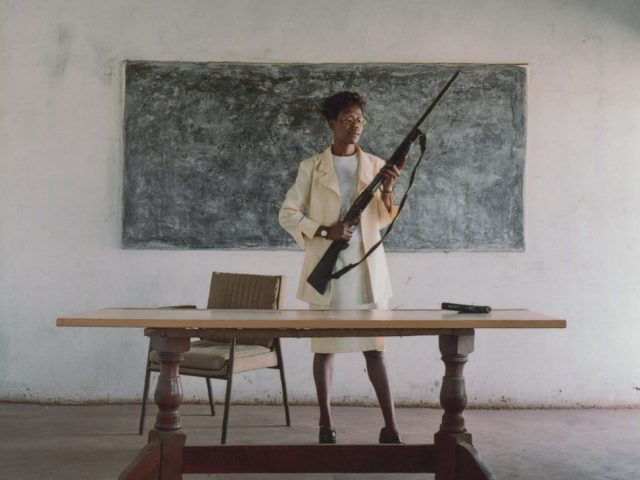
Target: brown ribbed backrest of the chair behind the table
(246, 291)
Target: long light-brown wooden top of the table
(396, 320)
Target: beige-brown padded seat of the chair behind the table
(208, 358)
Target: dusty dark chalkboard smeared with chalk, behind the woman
(211, 149)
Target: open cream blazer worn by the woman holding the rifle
(314, 200)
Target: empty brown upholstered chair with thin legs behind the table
(221, 358)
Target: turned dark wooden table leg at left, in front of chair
(161, 459)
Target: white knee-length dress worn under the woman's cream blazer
(352, 291)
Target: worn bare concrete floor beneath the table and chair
(96, 442)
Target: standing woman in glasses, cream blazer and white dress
(324, 189)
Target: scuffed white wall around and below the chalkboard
(61, 103)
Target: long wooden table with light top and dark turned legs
(166, 457)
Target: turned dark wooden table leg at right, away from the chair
(456, 457)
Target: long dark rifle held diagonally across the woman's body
(323, 273)
